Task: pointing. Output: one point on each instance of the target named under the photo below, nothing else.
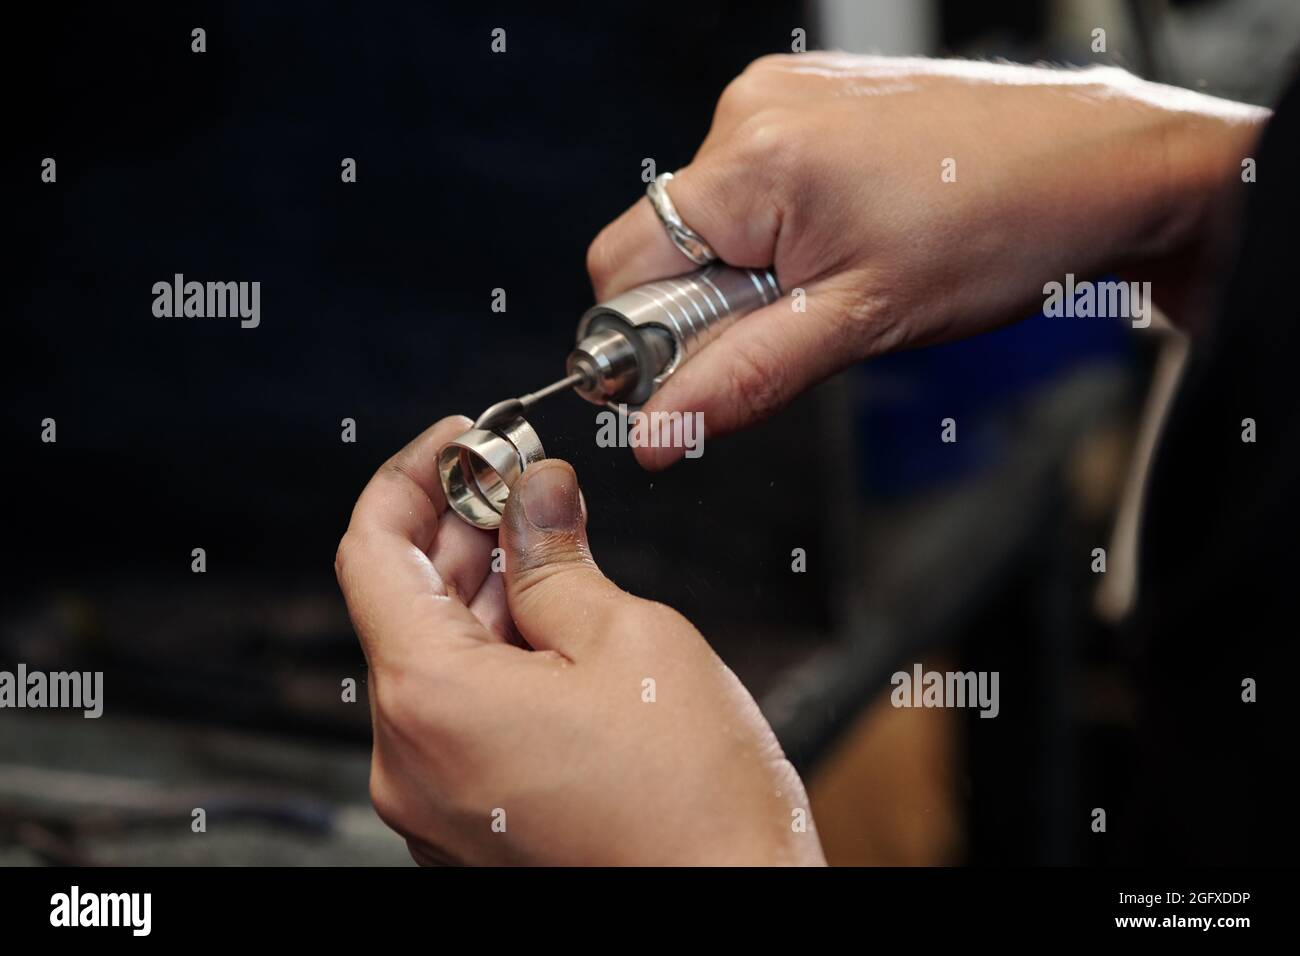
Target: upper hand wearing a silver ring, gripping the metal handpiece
(916, 201)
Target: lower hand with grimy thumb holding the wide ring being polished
(544, 716)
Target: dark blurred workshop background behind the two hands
(475, 172)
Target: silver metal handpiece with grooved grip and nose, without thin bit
(632, 344)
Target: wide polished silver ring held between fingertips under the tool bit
(479, 468)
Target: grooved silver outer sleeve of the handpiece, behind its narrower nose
(694, 309)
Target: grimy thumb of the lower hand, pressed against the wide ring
(557, 595)
